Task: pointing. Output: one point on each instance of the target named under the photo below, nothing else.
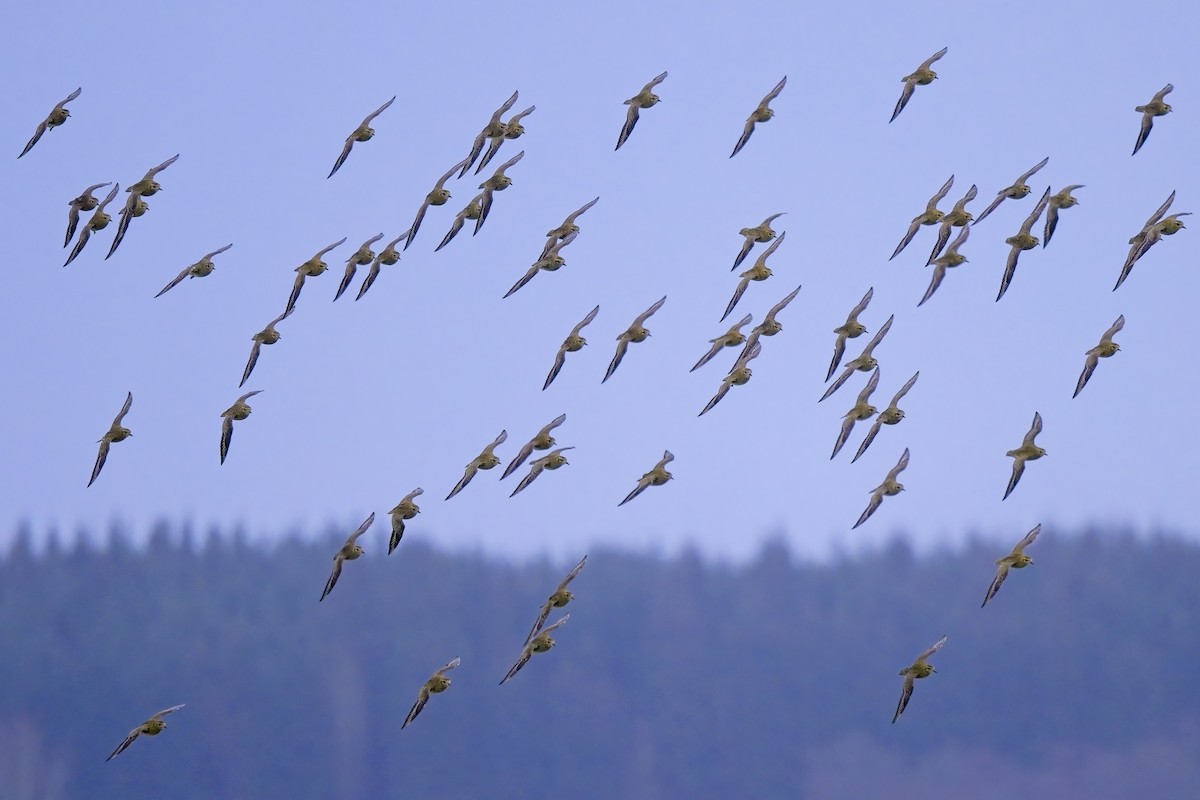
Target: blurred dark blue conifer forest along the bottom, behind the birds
(675, 677)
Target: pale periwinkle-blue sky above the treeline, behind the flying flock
(364, 401)
